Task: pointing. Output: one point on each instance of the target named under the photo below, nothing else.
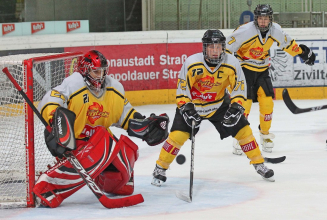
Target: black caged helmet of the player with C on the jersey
(213, 37)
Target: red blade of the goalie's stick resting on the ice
(121, 202)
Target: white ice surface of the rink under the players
(225, 185)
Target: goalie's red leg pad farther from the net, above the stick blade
(118, 177)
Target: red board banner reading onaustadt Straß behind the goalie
(145, 66)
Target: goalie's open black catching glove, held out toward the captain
(153, 130)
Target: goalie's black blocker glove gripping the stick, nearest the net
(62, 136)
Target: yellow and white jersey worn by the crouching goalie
(112, 108)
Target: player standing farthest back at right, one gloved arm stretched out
(251, 43)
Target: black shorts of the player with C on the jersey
(179, 123)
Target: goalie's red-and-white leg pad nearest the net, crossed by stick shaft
(62, 180)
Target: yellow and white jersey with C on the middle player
(206, 87)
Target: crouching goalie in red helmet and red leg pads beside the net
(98, 101)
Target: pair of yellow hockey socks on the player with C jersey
(176, 140)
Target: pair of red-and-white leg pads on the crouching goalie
(95, 155)
